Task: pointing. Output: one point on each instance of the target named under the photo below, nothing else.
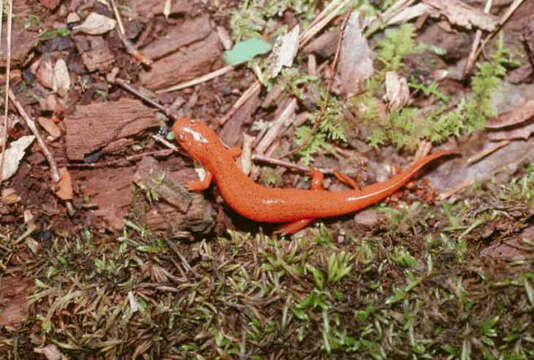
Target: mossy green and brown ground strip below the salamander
(413, 287)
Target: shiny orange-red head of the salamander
(195, 137)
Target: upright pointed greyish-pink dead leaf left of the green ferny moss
(355, 63)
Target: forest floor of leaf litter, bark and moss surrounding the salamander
(144, 271)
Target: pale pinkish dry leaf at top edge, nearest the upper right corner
(461, 14)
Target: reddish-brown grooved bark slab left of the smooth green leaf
(188, 63)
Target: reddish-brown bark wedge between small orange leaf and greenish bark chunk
(109, 190)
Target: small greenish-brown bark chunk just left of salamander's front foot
(152, 177)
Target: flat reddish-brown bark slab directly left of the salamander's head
(93, 126)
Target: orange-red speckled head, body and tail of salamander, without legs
(277, 205)
